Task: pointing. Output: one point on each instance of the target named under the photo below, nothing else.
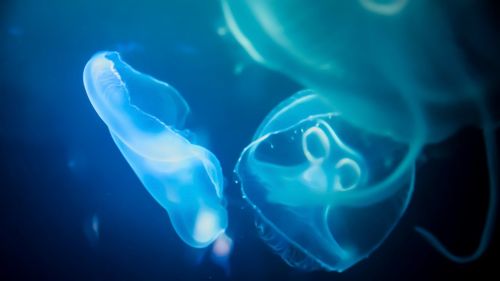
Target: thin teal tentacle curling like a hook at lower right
(491, 155)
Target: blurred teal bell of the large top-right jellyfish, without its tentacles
(382, 70)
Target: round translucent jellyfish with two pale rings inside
(297, 172)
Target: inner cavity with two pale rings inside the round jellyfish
(328, 165)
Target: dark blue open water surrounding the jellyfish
(59, 166)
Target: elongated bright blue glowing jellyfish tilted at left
(146, 118)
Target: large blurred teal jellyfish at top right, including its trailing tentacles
(386, 72)
